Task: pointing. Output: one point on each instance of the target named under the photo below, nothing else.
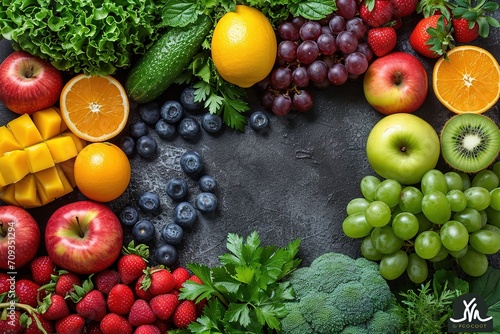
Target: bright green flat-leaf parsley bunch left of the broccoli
(245, 293)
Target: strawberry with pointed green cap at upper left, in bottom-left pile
(90, 302)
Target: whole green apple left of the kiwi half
(402, 147)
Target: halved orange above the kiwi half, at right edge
(468, 81)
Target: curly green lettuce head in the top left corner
(93, 37)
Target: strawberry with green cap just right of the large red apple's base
(132, 264)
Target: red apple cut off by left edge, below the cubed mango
(19, 237)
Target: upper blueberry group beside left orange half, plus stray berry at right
(172, 118)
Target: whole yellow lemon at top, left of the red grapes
(244, 46)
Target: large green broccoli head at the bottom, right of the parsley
(339, 294)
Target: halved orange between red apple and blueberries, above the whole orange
(95, 108)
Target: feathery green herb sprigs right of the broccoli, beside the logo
(427, 309)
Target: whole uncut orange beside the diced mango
(102, 171)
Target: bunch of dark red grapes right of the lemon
(319, 53)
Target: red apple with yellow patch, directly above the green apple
(396, 83)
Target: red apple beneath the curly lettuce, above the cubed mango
(28, 83)
